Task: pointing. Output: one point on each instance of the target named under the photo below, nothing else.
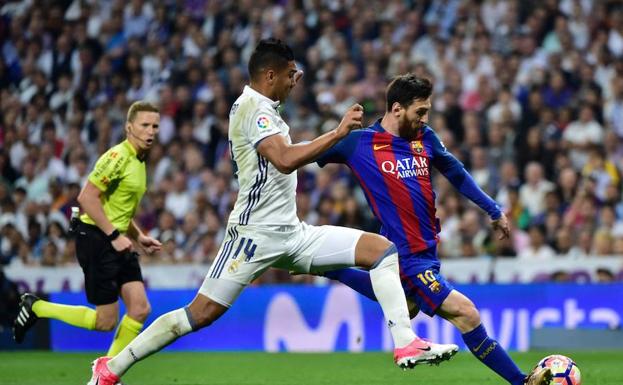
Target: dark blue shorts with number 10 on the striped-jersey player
(422, 282)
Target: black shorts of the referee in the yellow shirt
(105, 269)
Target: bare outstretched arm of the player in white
(288, 157)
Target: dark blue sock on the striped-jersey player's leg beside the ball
(492, 354)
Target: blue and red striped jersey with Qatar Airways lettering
(396, 177)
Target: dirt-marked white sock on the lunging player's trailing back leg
(166, 329)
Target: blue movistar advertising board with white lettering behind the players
(335, 318)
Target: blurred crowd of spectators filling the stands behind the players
(528, 95)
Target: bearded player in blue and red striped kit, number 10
(392, 160)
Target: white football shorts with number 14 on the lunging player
(247, 251)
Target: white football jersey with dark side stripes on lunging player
(265, 196)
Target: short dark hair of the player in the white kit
(269, 53)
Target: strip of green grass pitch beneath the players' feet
(47, 368)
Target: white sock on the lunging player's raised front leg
(388, 290)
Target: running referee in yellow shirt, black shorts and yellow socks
(103, 246)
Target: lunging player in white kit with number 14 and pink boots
(263, 229)
